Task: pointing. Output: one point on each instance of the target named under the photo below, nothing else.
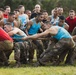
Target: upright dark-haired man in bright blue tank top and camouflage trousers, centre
(32, 28)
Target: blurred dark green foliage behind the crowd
(45, 4)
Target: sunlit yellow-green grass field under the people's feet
(30, 70)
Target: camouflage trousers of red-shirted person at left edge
(5, 51)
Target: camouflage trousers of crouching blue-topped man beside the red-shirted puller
(20, 50)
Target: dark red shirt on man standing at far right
(71, 23)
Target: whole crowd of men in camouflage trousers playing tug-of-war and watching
(24, 31)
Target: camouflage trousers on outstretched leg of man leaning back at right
(63, 45)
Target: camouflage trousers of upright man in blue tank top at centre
(38, 45)
